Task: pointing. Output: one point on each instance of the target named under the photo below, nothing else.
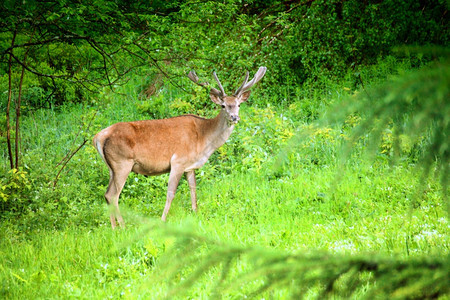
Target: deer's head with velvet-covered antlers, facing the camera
(230, 104)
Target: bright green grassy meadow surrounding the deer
(271, 188)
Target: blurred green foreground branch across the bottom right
(266, 272)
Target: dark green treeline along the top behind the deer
(67, 50)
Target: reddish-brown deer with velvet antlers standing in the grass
(178, 145)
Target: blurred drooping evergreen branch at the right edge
(406, 112)
